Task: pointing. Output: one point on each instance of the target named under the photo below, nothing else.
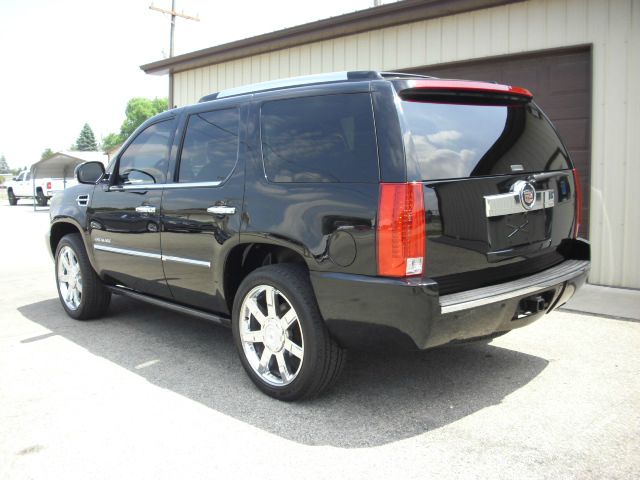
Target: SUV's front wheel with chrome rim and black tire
(81, 292)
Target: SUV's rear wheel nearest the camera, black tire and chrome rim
(280, 335)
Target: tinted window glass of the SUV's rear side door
(210, 146)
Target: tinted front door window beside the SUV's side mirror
(145, 159)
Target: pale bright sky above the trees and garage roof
(68, 62)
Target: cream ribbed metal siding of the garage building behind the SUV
(611, 27)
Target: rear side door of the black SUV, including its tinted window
(201, 210)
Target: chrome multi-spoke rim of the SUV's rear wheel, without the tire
(271, 335)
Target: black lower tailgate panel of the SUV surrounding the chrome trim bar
(465, 249)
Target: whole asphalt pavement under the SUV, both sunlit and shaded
(146, 393)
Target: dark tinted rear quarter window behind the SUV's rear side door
(319, 139)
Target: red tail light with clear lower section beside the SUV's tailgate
(401, 234)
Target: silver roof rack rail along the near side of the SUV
(294, 82)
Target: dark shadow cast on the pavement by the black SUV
(380, 398)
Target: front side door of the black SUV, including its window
(124, 213)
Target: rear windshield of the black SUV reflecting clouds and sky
(455, 141)
